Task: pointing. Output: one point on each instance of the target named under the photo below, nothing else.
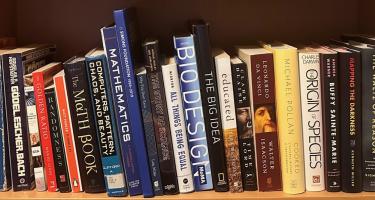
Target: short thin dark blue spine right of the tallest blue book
(153, 159)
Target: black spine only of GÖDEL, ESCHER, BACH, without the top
(22, 173)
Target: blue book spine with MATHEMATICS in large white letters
(117, 81)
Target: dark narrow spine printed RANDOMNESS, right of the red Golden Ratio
(61, 170)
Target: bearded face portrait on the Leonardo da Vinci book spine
(265, 119)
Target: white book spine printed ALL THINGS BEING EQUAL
(178, 129)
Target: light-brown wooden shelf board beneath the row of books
(207, 195)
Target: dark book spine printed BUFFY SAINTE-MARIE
(330, 93)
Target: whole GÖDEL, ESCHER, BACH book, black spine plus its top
(17, 63)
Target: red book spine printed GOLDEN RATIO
(44, 131)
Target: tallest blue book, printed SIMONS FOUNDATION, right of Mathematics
(124, 20)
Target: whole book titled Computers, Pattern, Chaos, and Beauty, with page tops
(96, 67)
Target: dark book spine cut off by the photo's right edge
(368, 120)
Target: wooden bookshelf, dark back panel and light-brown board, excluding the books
(74, 26)
